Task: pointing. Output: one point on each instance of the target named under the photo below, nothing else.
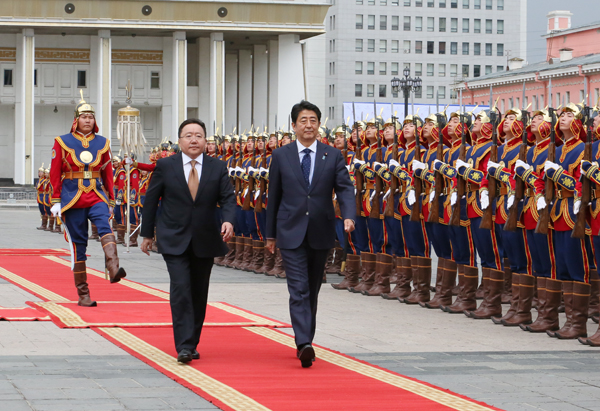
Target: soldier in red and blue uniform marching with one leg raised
(81, 164)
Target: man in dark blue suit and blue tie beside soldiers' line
(301, 218)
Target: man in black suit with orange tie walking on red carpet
(189, 186)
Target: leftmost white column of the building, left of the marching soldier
(24, 108)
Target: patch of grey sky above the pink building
(584, 12)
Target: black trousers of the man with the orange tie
(190, 277)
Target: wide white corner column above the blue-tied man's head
(290, 79)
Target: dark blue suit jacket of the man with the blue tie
(295, 212)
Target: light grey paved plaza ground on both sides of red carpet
(43, 367)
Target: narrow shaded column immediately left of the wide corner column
(260, 86)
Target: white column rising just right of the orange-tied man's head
(217, 82)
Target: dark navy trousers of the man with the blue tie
(304, 267)
